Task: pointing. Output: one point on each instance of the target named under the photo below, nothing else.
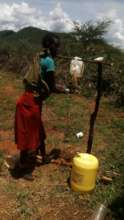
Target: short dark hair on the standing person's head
(49, 39)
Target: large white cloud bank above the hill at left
(17, 16)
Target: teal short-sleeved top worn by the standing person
(46, 65)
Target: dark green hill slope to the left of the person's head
(17, 47)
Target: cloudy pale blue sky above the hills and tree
(59, 15)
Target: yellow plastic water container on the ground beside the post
(84, 171)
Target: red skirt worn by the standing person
(29, 129)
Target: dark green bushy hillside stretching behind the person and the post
(16, 48)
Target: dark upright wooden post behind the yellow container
(94, 114)
